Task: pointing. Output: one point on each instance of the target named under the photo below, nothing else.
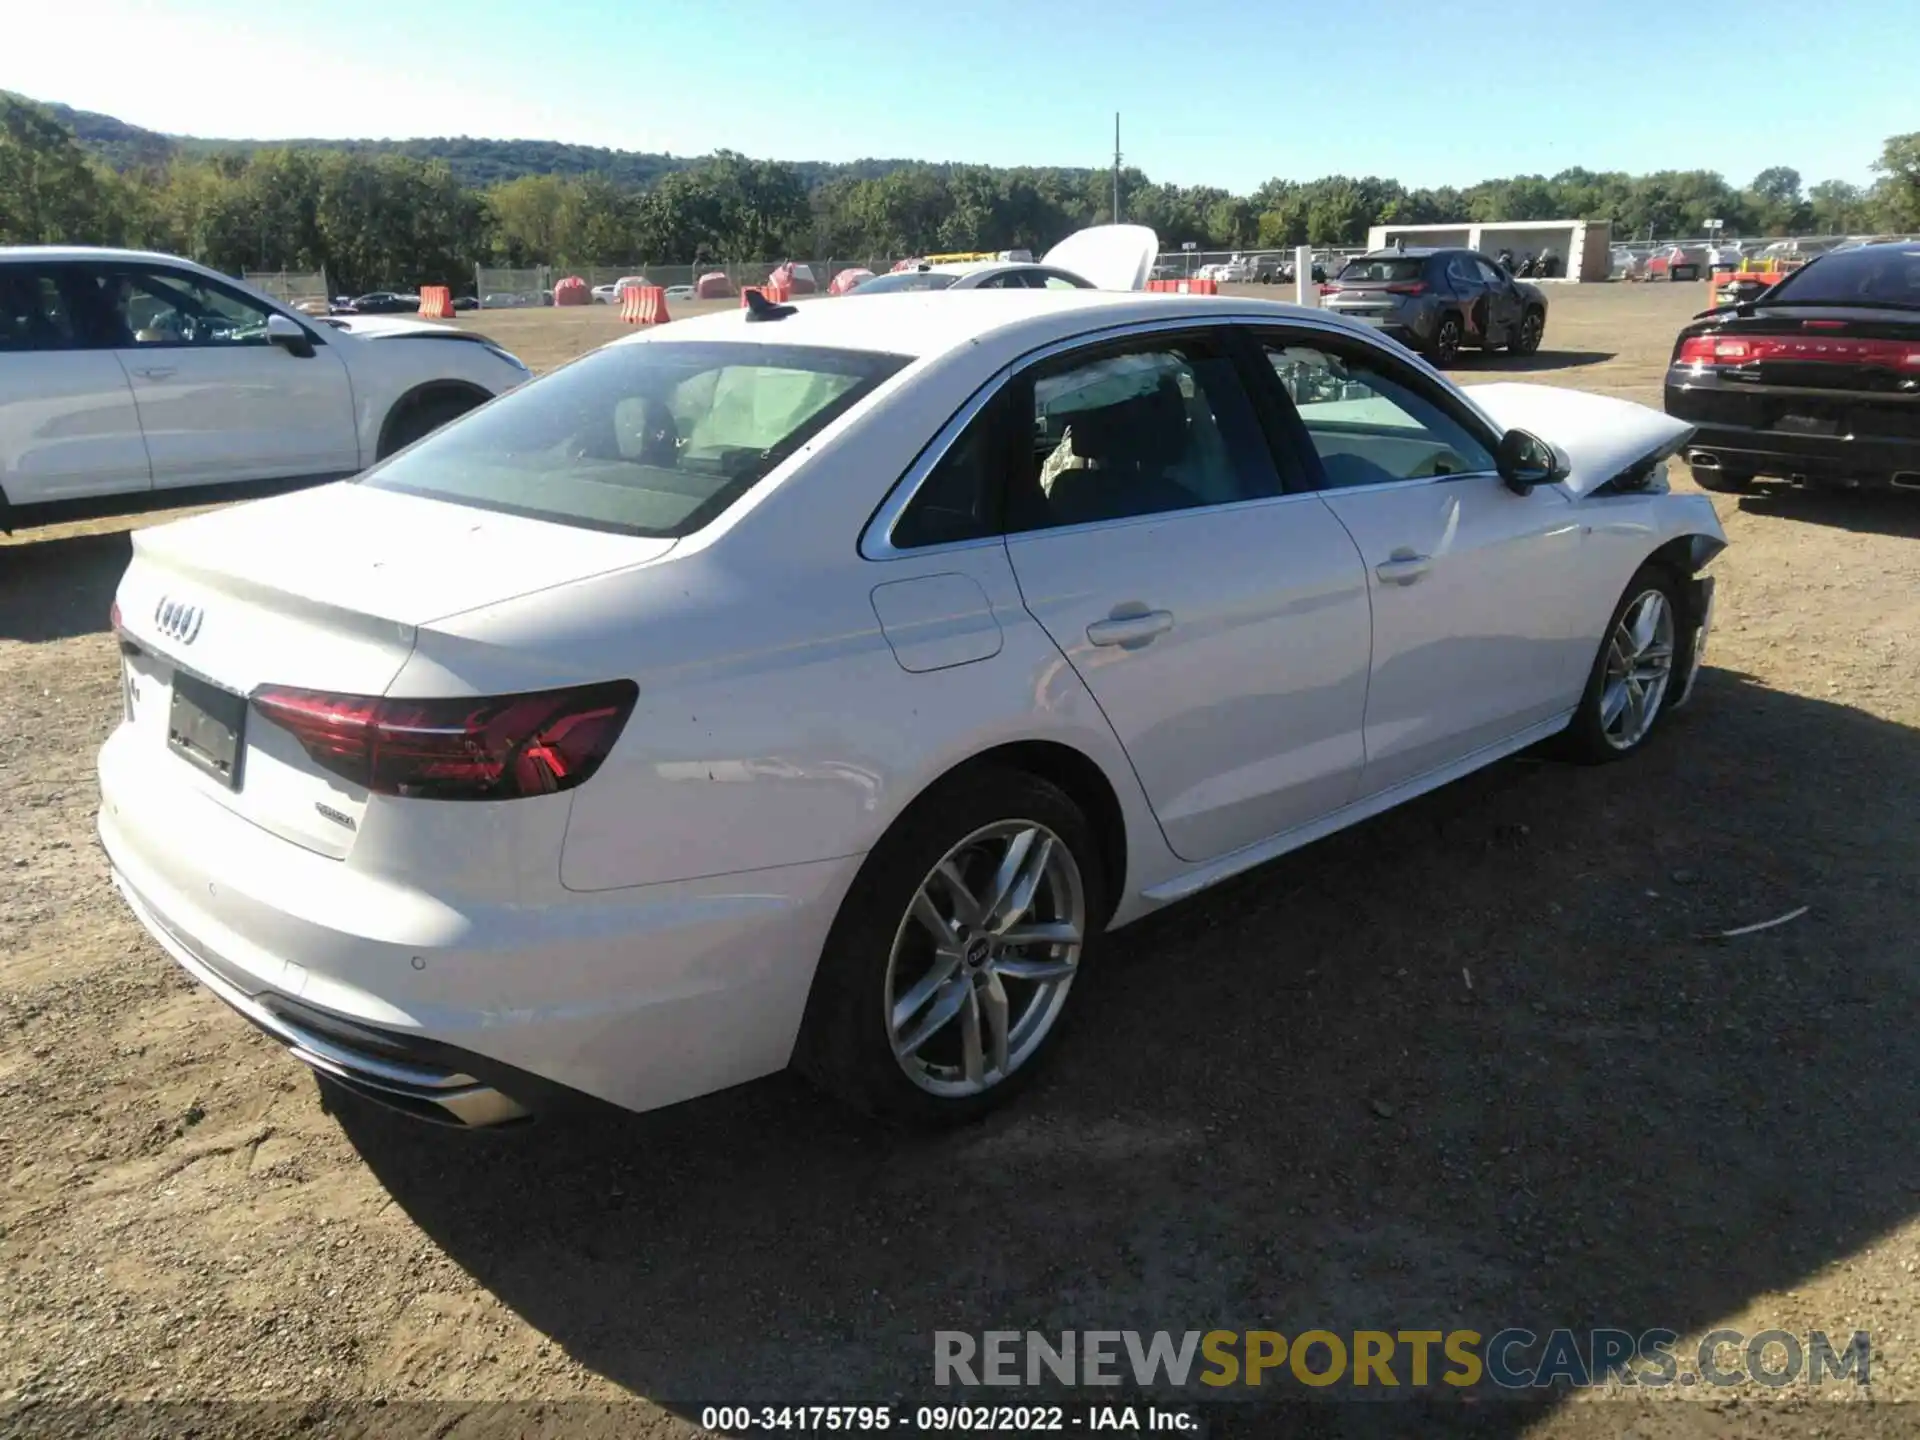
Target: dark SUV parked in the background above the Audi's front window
(1441, 300)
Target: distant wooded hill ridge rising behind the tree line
(473, 162)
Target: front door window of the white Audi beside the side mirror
(1370, 427)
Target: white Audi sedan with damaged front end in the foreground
(815, 684)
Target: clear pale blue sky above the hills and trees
(1222, 93)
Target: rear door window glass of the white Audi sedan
(1140, 433)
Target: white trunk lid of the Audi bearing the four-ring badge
(320, 590)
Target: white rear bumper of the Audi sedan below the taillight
(464, 1011)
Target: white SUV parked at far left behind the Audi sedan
(124, 375)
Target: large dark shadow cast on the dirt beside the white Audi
(1466, 1067)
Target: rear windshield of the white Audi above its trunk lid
(650, 441)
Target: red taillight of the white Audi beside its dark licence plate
(462, 750)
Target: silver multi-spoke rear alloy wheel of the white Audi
(984, 959)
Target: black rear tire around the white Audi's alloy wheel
(846, 1045)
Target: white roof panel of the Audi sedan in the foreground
(932, 324)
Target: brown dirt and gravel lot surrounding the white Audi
(1284, 1105)
